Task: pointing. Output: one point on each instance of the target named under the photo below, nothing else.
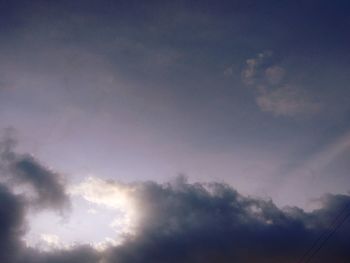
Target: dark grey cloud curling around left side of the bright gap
(51, 194)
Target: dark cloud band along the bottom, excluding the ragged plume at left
(200, 222)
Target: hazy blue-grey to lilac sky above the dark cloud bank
(254, 94)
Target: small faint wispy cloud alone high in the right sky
(274, 94)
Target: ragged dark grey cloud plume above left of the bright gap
(26, 170)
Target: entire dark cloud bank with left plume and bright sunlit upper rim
(176, 221)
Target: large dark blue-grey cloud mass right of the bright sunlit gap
(184, 222)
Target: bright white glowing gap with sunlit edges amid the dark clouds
(102, 214)
